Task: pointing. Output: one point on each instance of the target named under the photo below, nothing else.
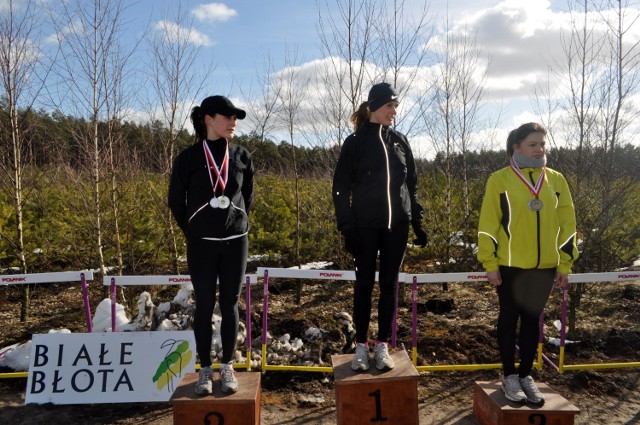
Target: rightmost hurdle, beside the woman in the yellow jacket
(586, 278)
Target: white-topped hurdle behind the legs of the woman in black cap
(114, 281)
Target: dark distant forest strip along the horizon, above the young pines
(51, 143)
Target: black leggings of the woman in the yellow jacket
(522, 294)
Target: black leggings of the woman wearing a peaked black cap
(210, 261)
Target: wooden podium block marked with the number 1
(375, 396)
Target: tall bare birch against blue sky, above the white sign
(91, 69)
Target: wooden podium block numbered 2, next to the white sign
(242, 407)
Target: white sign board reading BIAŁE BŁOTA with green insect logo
(109, 367)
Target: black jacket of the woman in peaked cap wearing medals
(190, 191)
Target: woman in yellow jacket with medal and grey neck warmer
(526, 244)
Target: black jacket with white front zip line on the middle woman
(375, 180)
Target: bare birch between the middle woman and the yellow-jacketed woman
(450, 118)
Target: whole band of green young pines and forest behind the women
(293, 219)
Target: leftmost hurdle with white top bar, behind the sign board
(53, 277)
